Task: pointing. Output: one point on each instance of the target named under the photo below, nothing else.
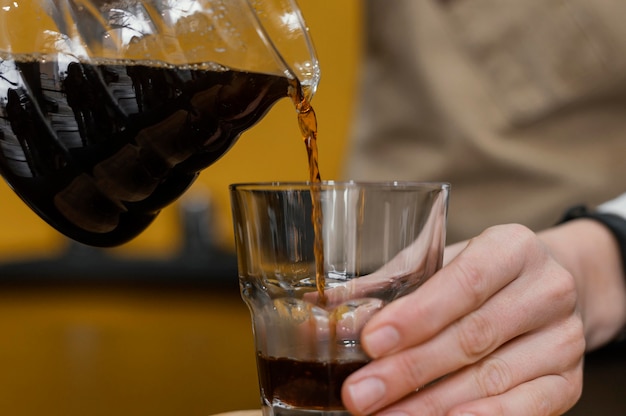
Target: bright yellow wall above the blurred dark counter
(272, 150)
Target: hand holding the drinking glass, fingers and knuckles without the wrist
(497, 331)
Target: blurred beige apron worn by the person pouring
(520, 105)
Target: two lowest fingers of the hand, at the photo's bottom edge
(511, 381)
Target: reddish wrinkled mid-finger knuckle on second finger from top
(476, 336)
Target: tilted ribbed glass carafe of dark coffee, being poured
(109, 109)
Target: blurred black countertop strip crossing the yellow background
(199, 262)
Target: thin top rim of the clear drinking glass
(294, 185)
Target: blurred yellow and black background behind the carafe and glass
(157, 326)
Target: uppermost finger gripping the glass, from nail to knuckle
(461, 287)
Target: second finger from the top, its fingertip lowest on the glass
(471, 338)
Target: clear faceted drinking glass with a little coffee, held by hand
(381, 241)
